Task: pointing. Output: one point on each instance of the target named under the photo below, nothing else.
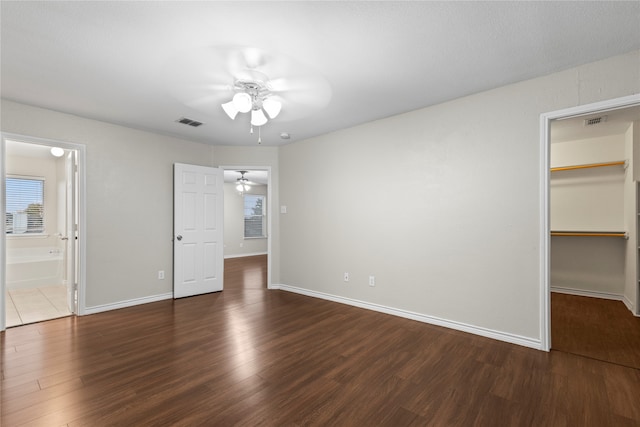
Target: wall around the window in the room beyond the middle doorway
(234, 242)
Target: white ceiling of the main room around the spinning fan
(147, 64)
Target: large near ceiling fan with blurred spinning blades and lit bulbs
(237, 79)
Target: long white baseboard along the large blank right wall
(488, 333)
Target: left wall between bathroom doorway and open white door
(129, 198)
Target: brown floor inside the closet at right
(597, 328)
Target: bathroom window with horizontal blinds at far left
(24, 205)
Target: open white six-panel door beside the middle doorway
(198, 257)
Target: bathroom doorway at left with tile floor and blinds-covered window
(41, 251)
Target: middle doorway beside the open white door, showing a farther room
(248, 213)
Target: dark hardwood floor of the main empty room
(248, 356)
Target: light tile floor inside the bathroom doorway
(35, 305)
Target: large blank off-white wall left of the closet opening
(442, 204)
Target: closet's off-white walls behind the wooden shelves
(598, 199)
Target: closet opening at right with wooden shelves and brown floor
(593, 244)
